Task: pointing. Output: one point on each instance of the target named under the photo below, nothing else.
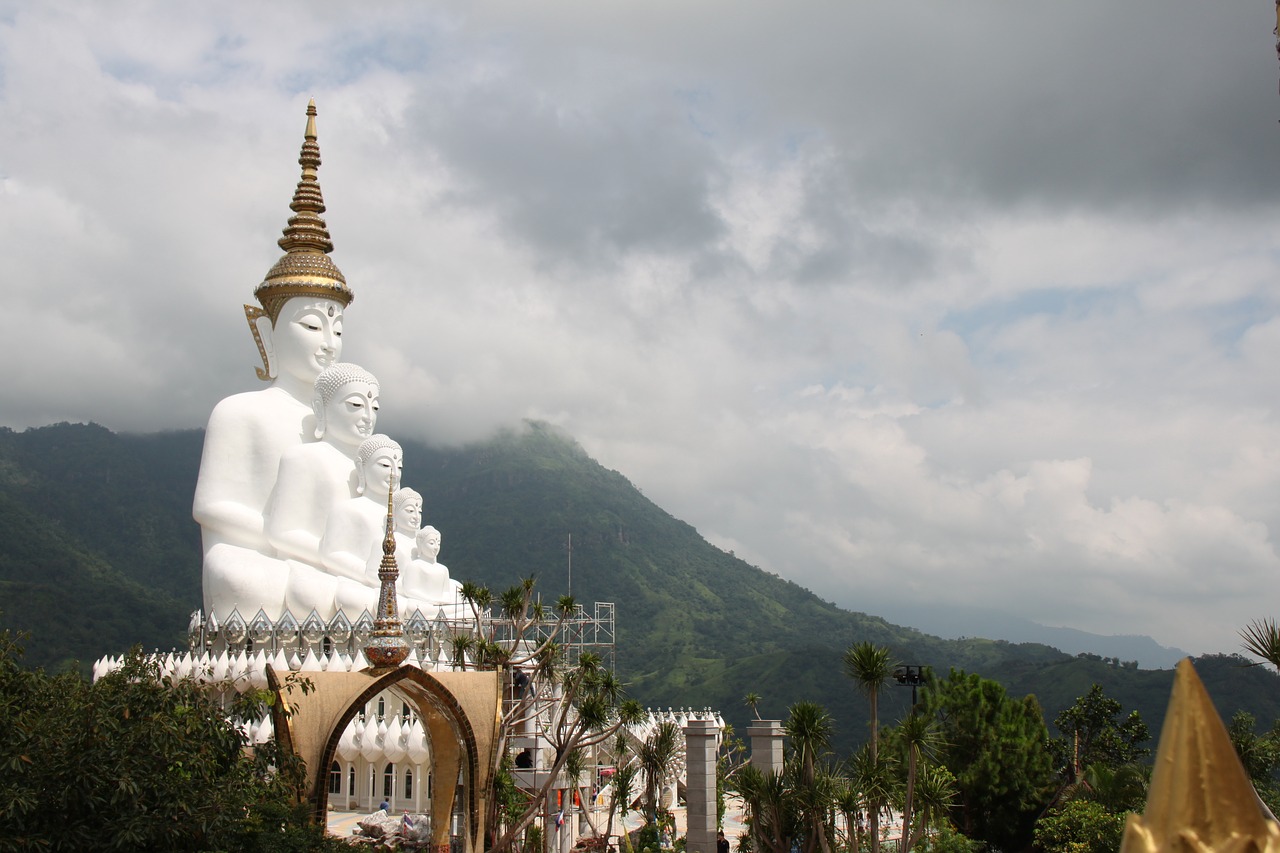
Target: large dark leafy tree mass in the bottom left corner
(134, 763)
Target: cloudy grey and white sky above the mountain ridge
(908, 303)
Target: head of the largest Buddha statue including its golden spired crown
(299, 326)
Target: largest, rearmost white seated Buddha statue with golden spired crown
(299, 334)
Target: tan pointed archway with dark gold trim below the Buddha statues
(460, 711)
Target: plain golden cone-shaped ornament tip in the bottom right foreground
(1201, 800)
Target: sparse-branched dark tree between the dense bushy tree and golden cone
(1095, 737)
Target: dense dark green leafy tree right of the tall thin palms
(999, 750)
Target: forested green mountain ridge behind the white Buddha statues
(98, 551)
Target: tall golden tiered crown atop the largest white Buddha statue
(307, 268)
